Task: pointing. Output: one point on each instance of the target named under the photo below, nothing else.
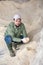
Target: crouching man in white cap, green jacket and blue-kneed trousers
(16, 33)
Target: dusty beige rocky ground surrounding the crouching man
(32, 16)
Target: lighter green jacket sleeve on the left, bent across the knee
(10, 31)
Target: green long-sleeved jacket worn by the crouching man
(15, 32)
